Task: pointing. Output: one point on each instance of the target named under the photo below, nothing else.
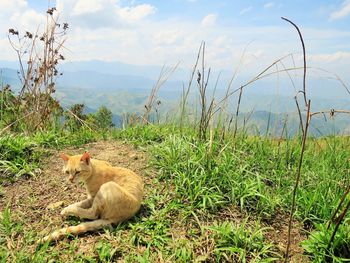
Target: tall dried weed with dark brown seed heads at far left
(39, 54)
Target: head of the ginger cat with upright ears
(77, 166)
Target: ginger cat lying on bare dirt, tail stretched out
(114, 194)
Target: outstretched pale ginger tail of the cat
(75, 230)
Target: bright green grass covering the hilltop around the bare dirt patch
(196, 182)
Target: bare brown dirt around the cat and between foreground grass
(37, 202)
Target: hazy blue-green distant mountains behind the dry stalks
(96, 83)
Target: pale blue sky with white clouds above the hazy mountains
(154, 32)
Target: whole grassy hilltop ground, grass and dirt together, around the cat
(199, 204)
